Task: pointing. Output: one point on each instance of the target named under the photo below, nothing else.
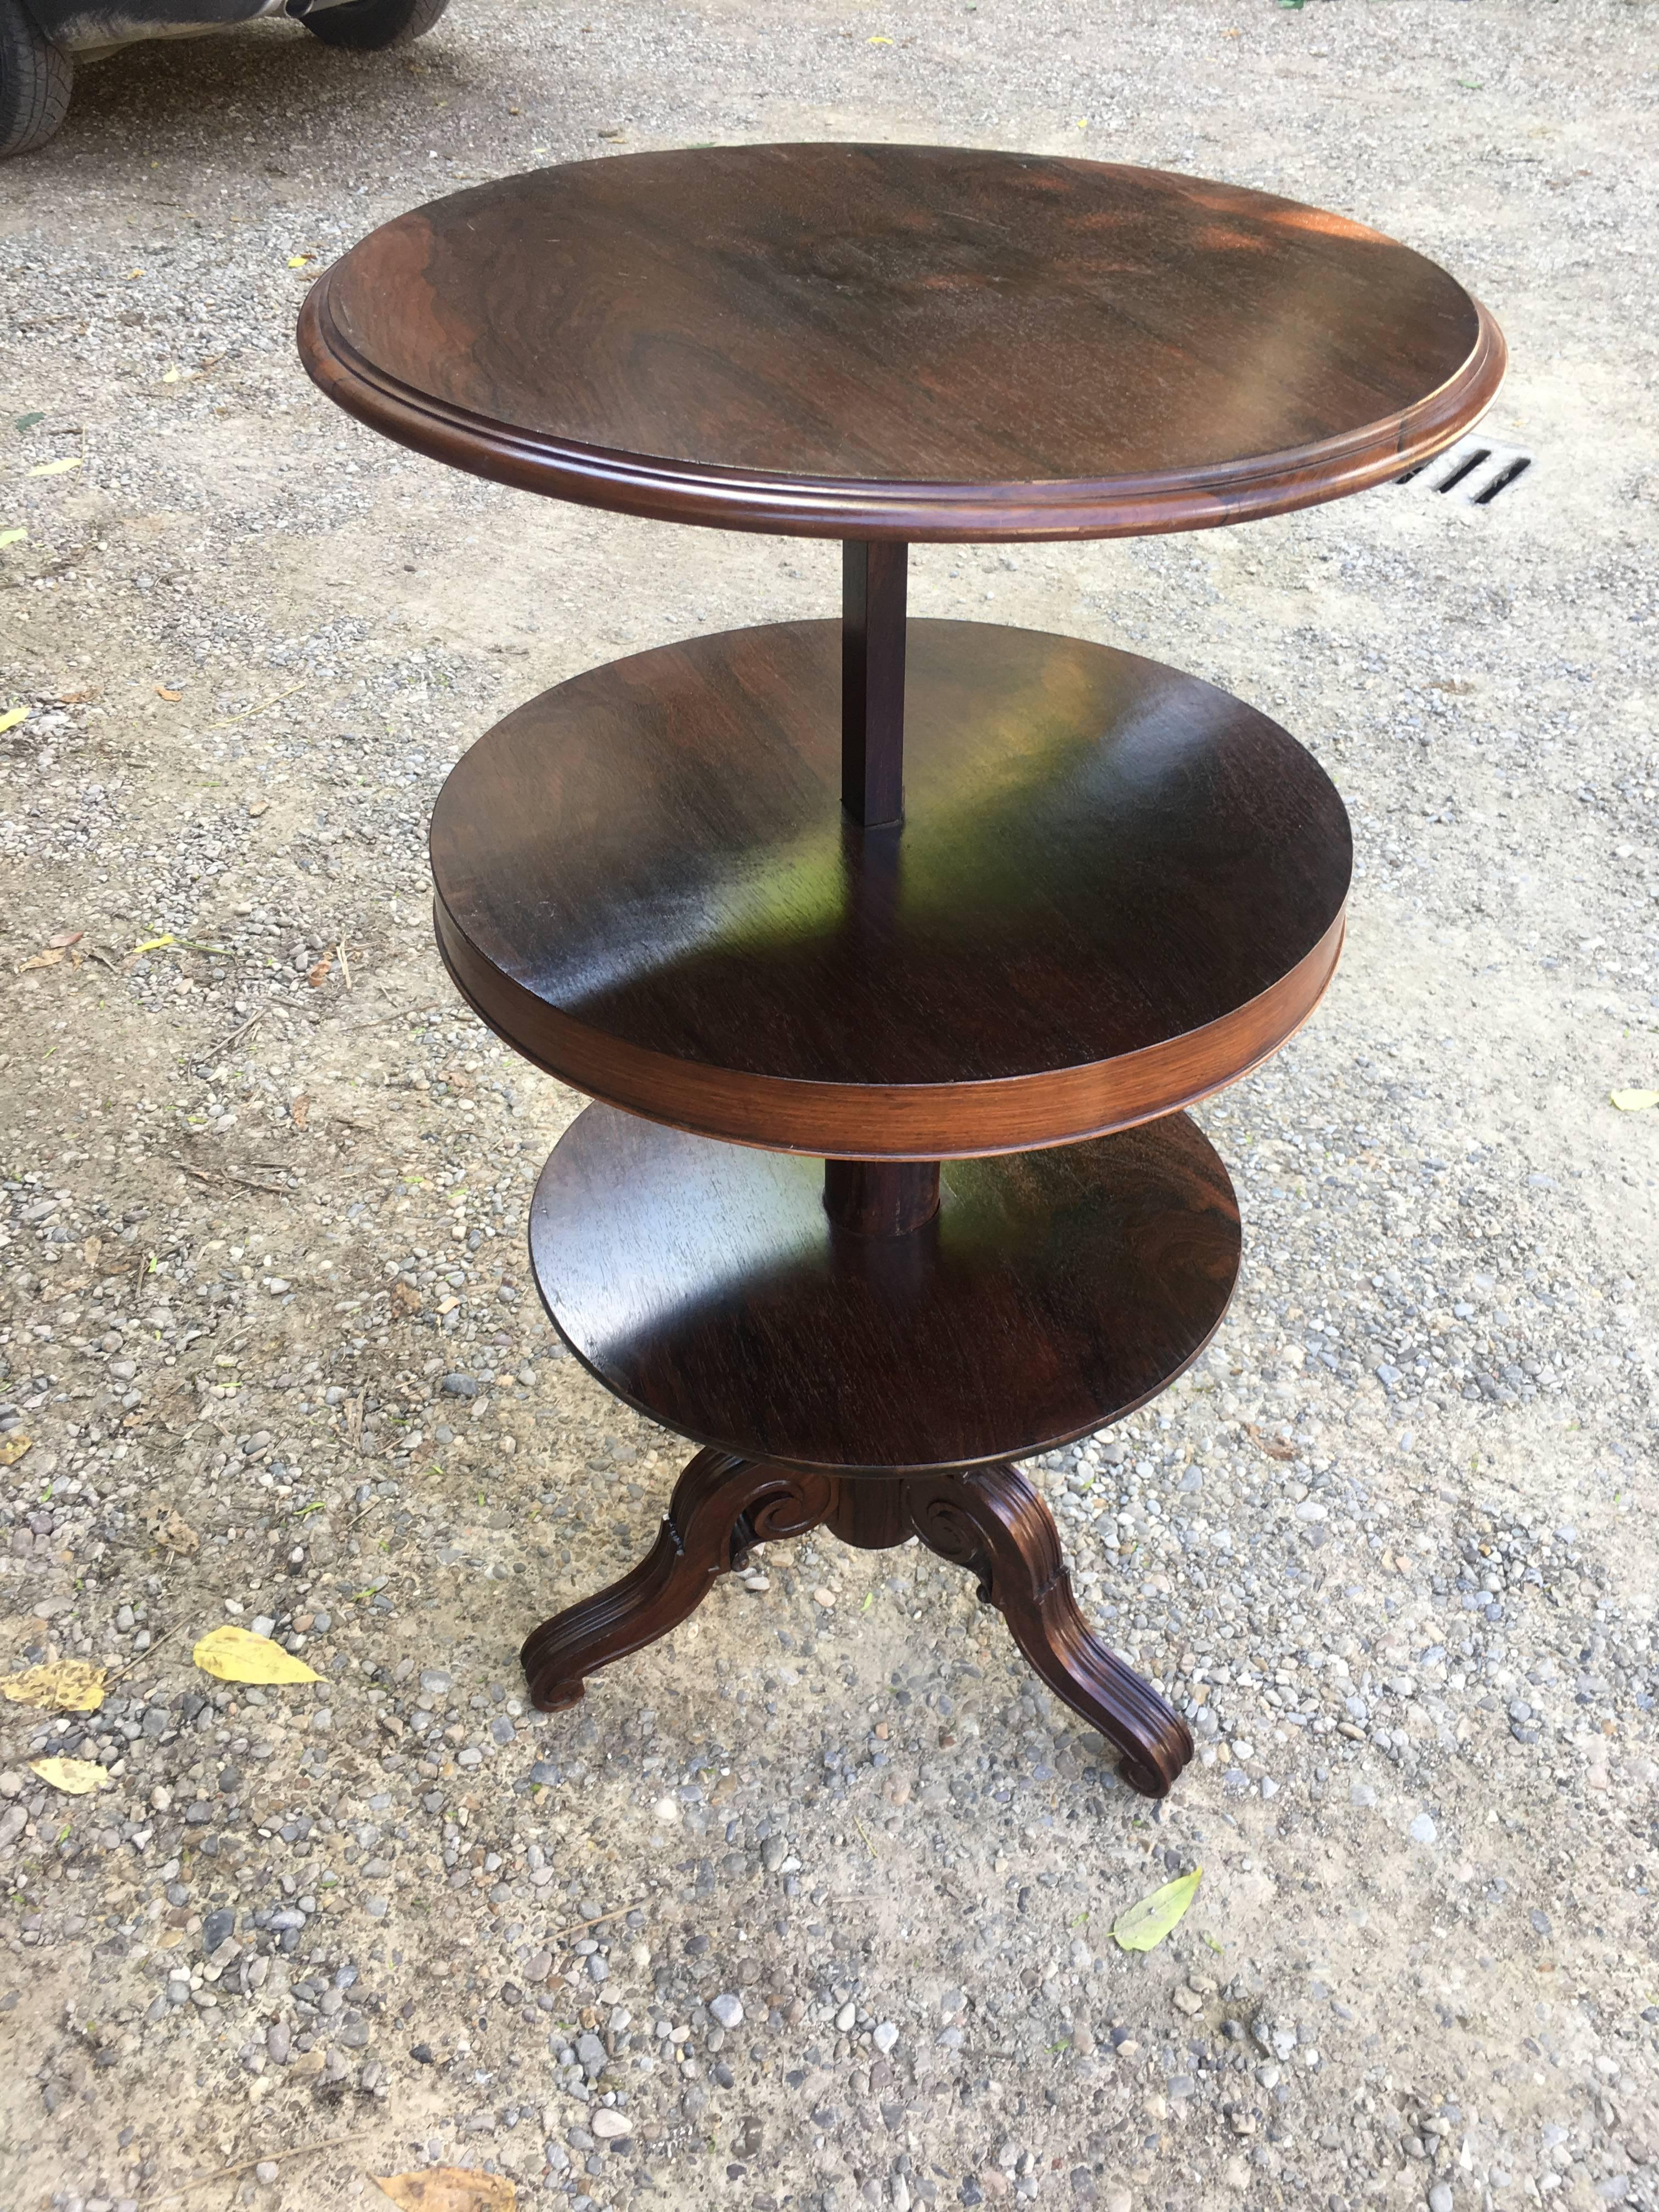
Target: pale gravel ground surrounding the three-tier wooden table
(811, 1906)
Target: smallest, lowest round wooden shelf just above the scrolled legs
(1050, 1295)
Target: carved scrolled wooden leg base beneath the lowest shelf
(992, 1523)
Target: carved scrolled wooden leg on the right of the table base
(997, 1525)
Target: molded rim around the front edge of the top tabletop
(915, 512)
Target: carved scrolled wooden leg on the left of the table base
(720, 1507)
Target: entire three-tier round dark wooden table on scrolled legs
(893, 950)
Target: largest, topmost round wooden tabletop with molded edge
(901, 342)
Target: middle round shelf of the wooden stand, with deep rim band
(1116, 890)
